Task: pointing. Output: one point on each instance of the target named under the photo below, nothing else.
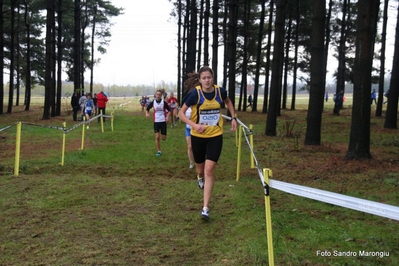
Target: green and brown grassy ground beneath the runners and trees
(116, 203)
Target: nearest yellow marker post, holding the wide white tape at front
(266, 173)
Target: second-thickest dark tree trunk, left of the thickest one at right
(317, 74)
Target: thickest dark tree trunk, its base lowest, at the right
(359, 140)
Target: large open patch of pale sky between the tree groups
(143, 45)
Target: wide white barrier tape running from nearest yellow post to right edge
(376, 208)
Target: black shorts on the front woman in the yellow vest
(206, 148)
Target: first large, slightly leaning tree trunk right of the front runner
(271, 121)
